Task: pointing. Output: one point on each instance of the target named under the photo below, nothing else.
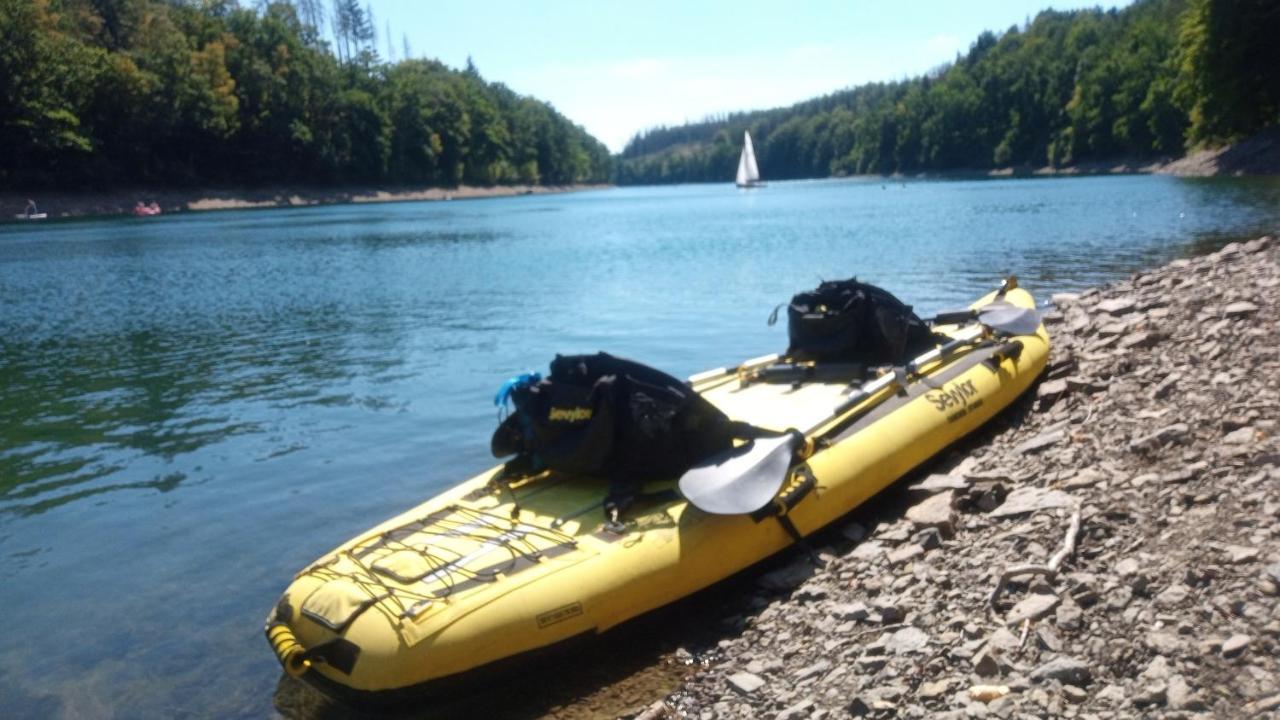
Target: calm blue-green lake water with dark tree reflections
(195, 407)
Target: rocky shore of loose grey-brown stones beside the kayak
(1130, 512)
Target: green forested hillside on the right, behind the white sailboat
(1148, 81)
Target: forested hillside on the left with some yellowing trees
(102, 93)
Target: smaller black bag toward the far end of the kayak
(854, 322)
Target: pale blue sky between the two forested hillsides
(619, 69)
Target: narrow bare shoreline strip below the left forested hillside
(89, 204)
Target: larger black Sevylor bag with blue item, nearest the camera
(605, 417)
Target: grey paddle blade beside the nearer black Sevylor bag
(743, 480)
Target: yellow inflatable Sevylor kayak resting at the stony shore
(493, 573)
